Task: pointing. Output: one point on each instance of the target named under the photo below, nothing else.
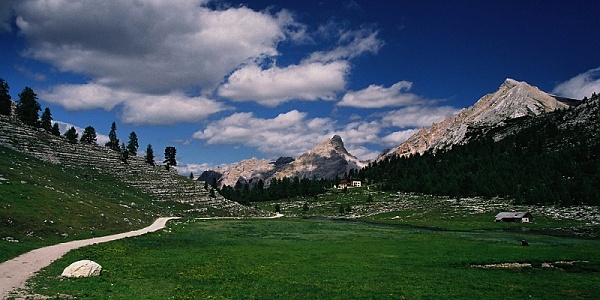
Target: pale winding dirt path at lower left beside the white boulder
(15, 272)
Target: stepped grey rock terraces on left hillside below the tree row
(155, 181)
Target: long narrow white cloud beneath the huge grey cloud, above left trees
(138, 108)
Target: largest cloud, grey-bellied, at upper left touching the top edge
(149, 46)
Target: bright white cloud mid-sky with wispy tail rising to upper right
(318, 77)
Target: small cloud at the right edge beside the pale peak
(580, 86)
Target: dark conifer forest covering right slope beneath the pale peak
(541, 164)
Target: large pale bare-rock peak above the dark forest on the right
(512, 100)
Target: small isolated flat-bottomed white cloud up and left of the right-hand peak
(377, 96)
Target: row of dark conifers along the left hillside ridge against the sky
(27, 111)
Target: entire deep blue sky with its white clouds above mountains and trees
(224, 81)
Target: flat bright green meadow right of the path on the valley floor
(317, 259)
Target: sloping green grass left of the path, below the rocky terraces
(44, 204)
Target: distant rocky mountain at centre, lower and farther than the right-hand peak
(326, 160)
